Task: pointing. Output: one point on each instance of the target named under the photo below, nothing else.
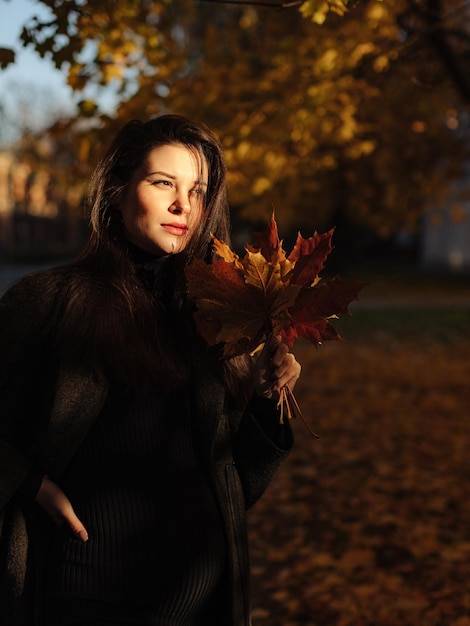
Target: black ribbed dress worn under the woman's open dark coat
(156, 550)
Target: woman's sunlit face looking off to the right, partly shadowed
(164, 201)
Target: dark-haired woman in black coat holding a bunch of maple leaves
(129, 451)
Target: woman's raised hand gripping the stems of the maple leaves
(275, 367)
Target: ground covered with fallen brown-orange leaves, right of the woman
(370, 524)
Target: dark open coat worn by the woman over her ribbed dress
(47, 408)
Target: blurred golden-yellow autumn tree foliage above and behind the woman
(328, 110)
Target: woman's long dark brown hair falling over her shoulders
(108, 318)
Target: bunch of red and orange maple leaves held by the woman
(241, 301)
